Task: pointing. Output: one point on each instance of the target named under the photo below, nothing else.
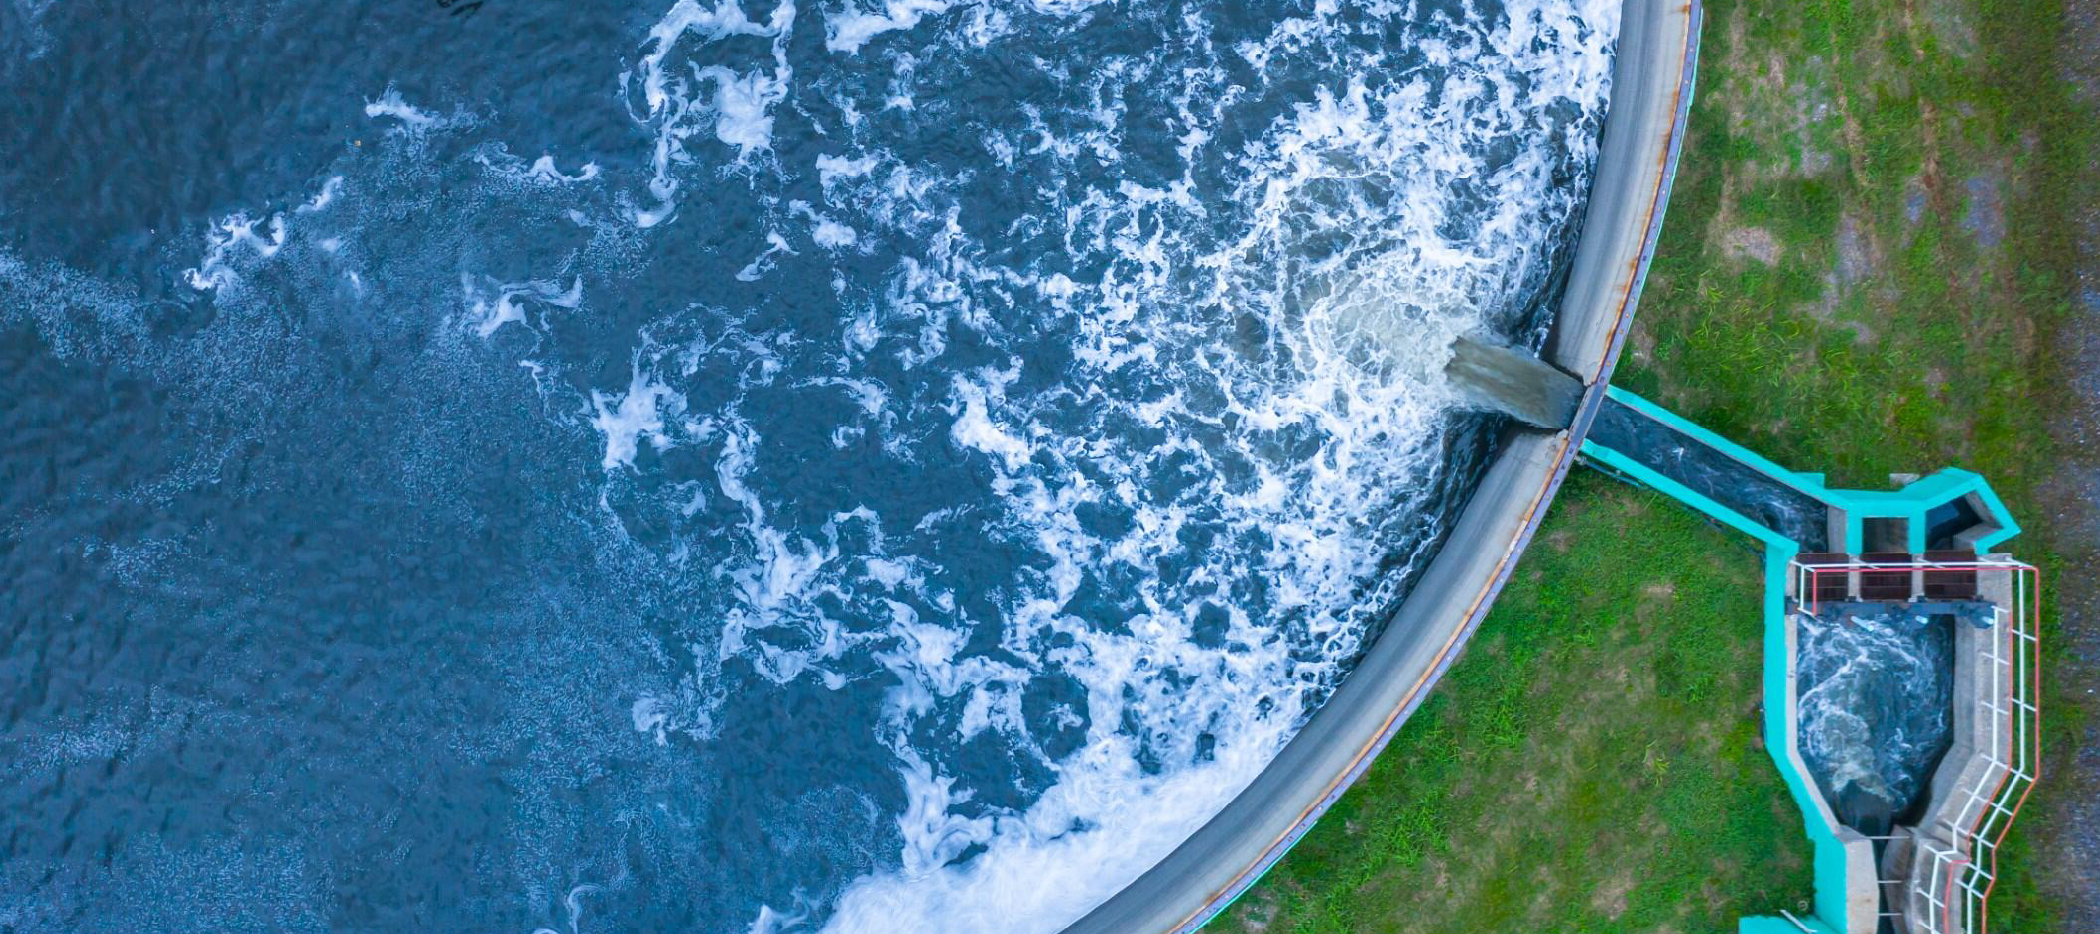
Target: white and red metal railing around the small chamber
(1954, 866)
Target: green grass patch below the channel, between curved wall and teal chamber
(1591, 765)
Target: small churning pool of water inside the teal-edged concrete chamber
(1876, 704)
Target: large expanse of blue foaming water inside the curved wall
(516, 465)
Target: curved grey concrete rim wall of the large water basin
(1650, 95)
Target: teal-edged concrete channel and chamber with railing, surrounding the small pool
(1849, 557)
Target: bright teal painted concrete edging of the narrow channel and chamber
(1910, 503)
